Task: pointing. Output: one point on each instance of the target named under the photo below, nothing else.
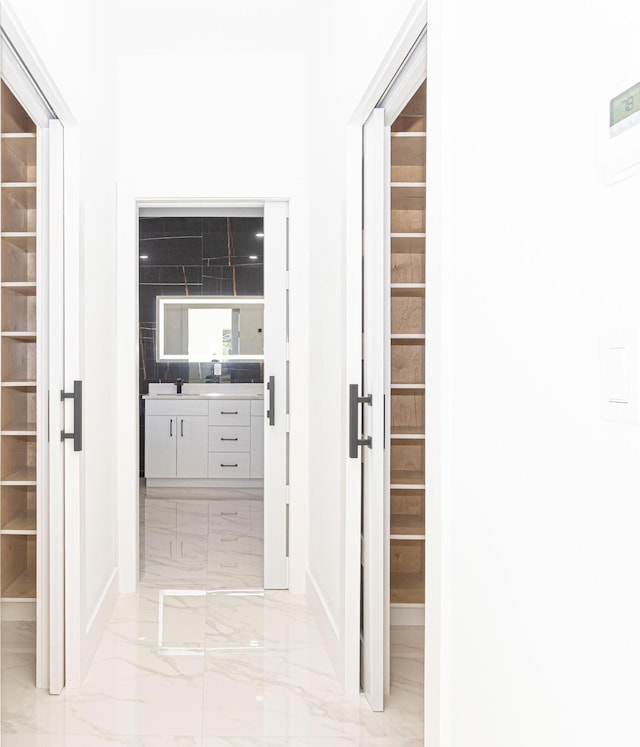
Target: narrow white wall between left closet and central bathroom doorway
(82, 70)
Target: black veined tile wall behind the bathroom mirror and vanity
(194, 257)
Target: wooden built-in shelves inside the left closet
(18, 352)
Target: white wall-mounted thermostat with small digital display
(619, 130)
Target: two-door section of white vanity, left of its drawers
(176, 438)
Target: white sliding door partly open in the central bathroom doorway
(276, 566)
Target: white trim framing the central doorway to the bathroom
(130, 198)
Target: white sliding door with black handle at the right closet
(372, 453)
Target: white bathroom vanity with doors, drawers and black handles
(208, 436)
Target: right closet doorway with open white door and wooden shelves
(388, 414)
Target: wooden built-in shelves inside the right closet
(407, 293)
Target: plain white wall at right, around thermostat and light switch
(539, 257)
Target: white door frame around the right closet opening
(438, 643)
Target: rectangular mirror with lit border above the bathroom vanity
(203, 329)
